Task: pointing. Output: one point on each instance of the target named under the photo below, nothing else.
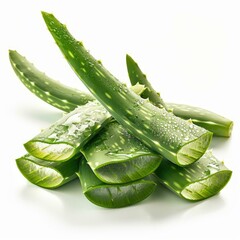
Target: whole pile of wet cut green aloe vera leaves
(120, 142)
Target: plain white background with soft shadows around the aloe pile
(190, 51)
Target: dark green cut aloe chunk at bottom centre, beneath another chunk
(113, 195)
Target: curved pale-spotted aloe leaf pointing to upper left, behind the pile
(44, 87)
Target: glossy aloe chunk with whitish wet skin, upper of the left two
(63, 139)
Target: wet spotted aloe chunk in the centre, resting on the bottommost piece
(115, 156)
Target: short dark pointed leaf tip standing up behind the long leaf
(137, 76)
